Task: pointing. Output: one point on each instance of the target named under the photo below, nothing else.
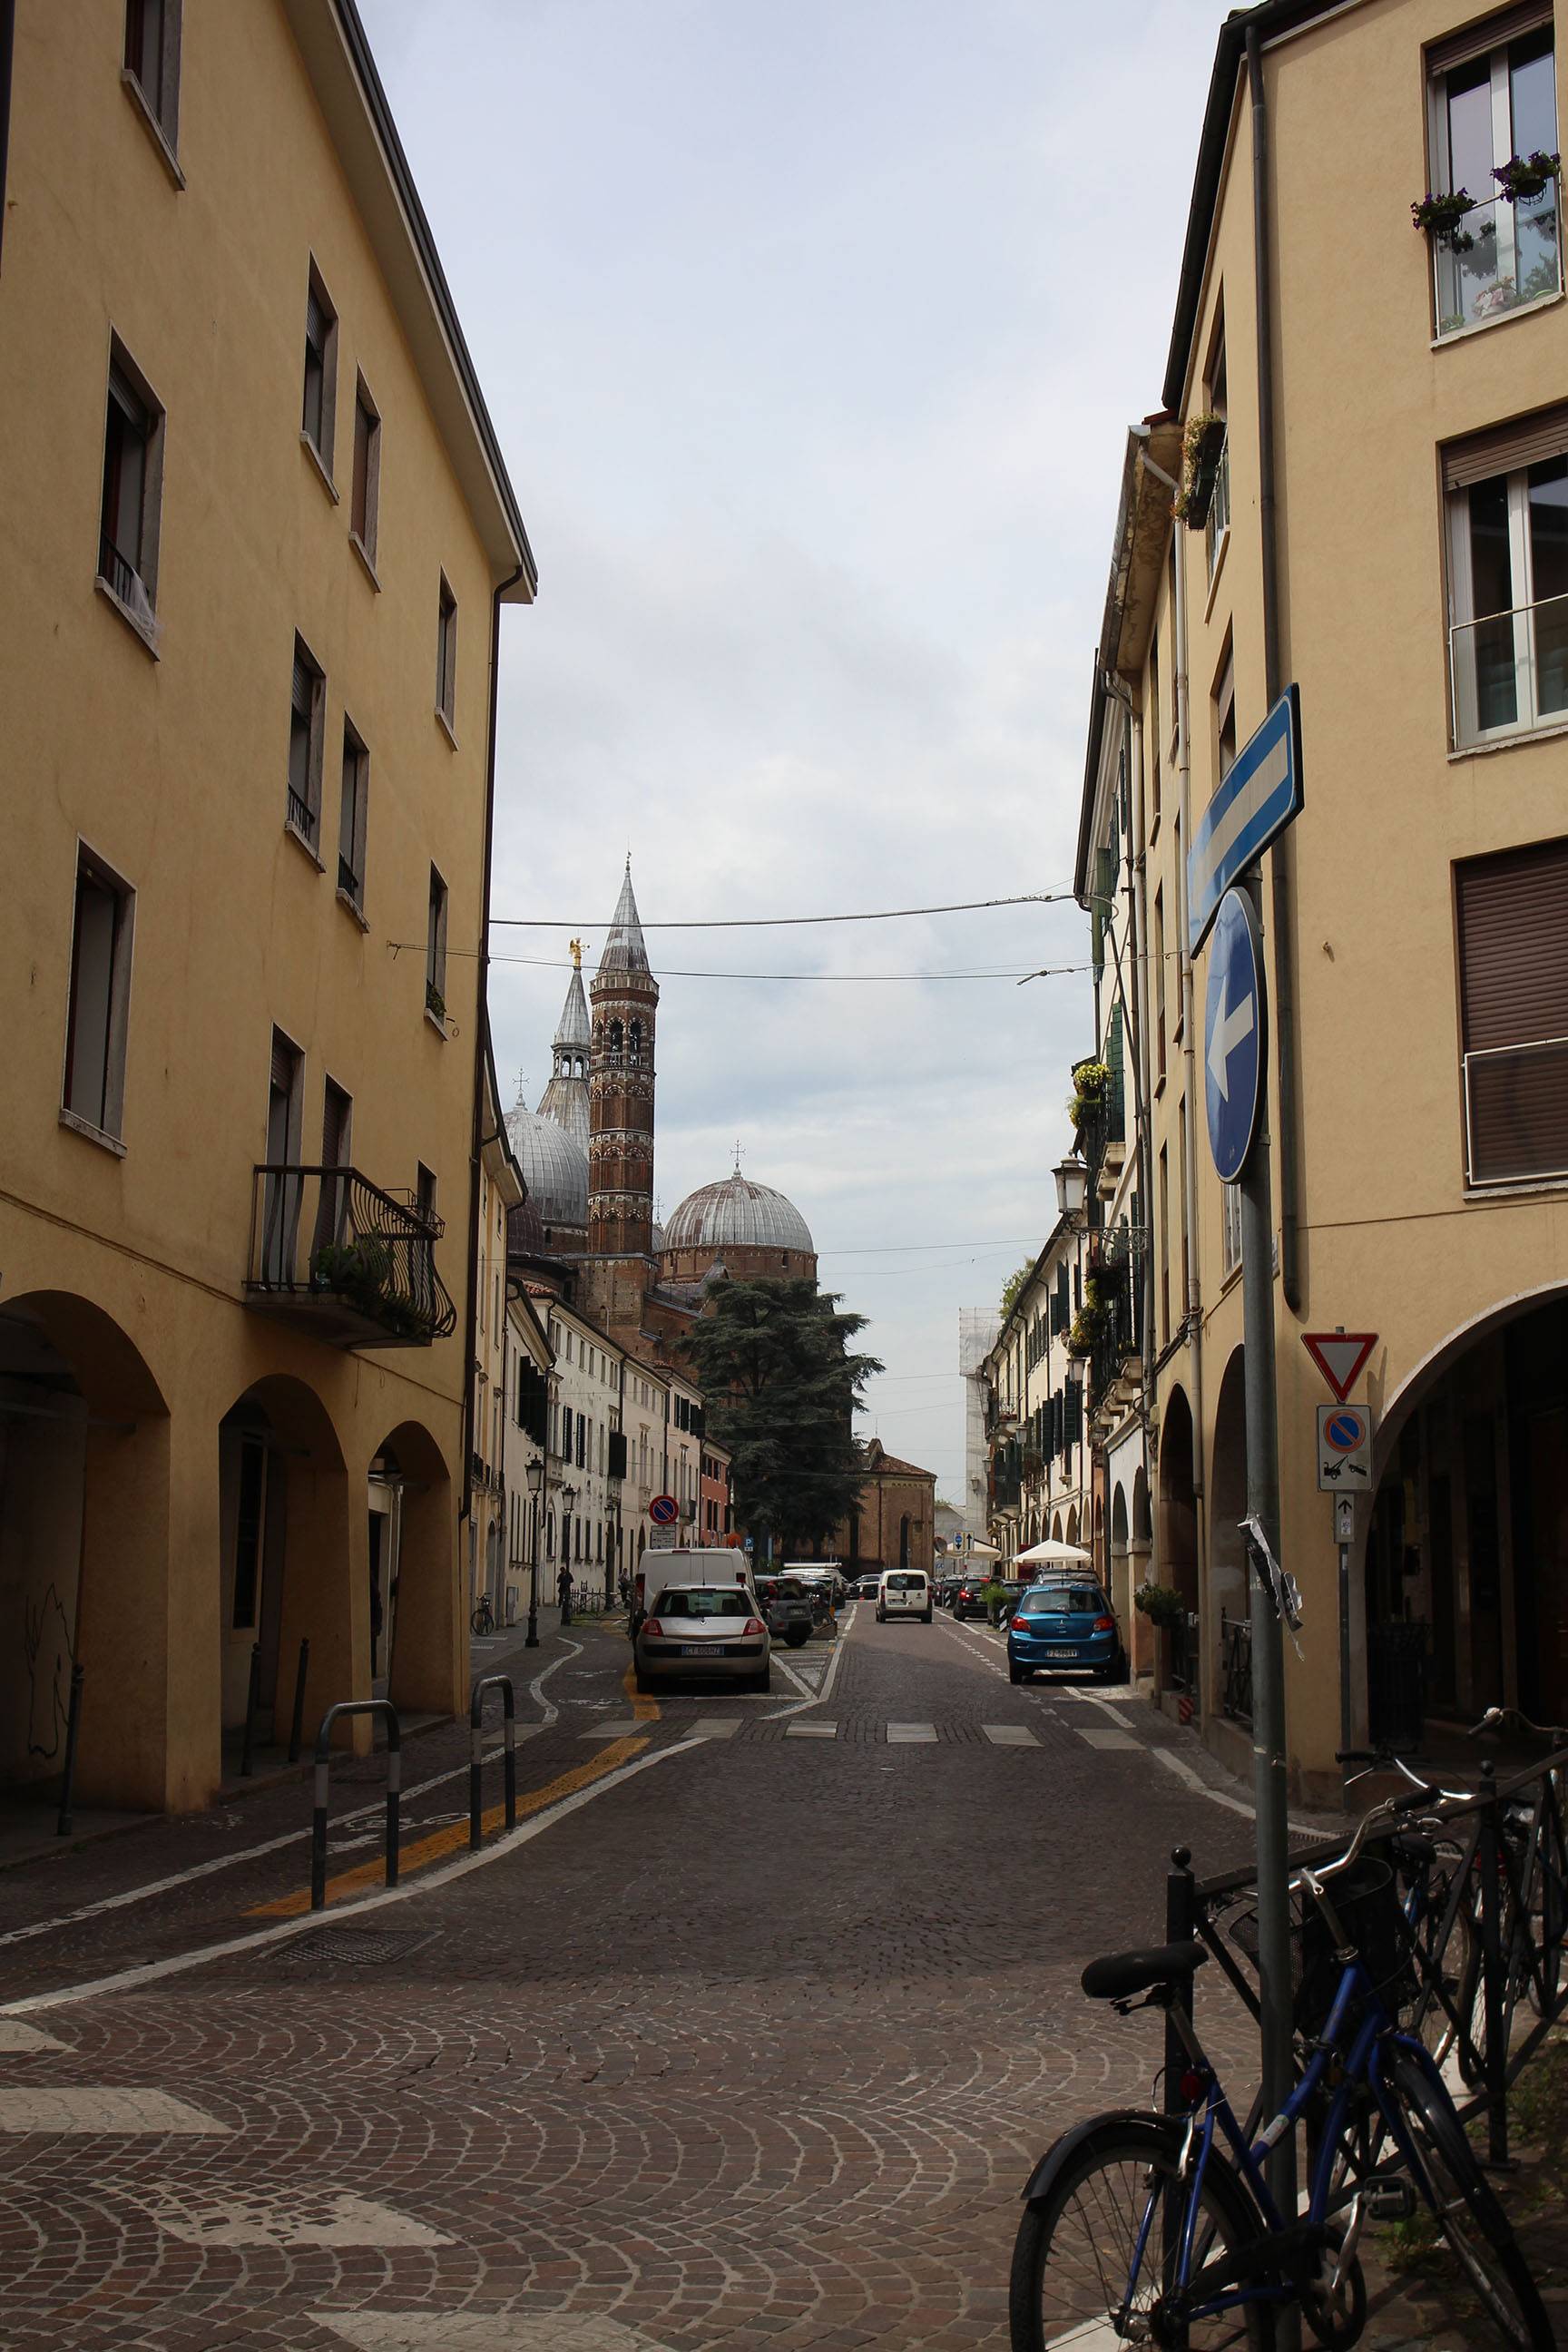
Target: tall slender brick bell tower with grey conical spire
(624, 998)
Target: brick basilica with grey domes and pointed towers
(587, 1231)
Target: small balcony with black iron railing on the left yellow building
(347, 1259)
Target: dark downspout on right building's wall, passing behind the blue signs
(1282, 871)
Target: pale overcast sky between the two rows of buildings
(812, 333)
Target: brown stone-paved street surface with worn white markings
(756, 2047)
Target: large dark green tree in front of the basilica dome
(782, 1384)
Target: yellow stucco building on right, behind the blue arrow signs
(1367, 434)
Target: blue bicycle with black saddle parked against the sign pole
(1160, 2229)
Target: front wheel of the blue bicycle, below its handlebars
(1466, 2205)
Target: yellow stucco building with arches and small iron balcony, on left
(260, 535)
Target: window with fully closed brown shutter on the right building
(1513, 935)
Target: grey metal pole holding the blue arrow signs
(1268, 1636)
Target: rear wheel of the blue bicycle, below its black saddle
(1078, 2243)
